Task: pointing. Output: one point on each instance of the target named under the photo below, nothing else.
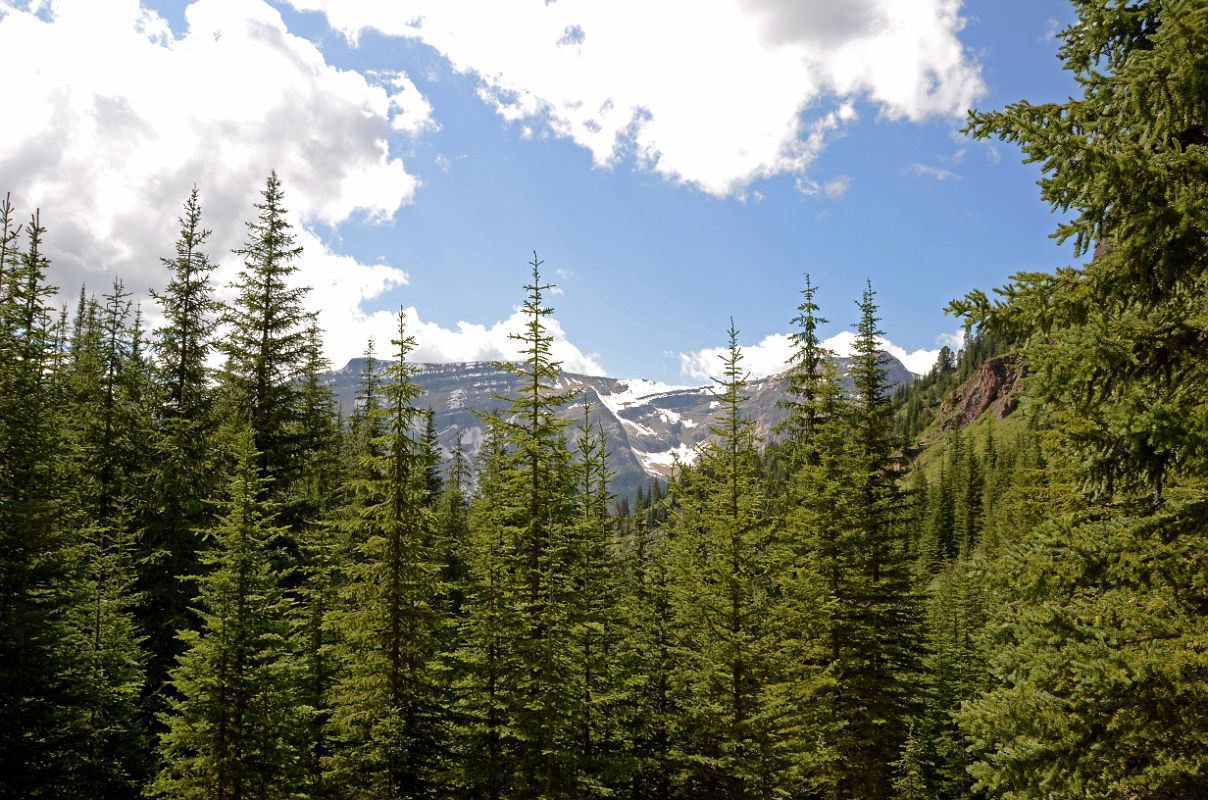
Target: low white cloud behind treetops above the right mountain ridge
(773, 353)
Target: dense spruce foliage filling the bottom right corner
(1099, 685)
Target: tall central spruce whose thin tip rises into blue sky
(521, 656)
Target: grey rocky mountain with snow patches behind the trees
(648, 425)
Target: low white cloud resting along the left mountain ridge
(468, 341)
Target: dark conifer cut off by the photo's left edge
(38, 700)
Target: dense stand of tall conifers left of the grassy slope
(214, 588)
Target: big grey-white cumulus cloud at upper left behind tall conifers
(114, 119)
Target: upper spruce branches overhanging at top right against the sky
(1113, 346)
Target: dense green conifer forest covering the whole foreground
(213, 585)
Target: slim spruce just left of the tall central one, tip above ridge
(387, 709)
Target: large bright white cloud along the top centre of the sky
(712, 95)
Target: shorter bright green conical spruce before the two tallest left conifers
(235, 720)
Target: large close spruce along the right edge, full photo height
(1095, 648)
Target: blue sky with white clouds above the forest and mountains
(675, 165)
